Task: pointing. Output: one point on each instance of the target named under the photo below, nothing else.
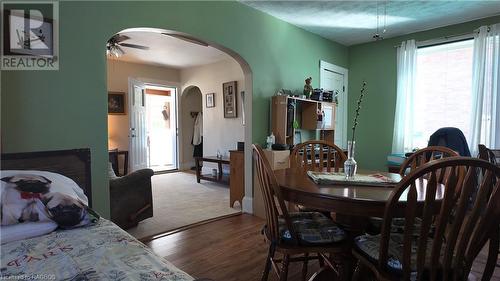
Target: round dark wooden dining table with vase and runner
(350, 203)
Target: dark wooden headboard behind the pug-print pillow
(72, 163)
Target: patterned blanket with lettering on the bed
(102, 251)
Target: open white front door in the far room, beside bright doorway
(137, 133)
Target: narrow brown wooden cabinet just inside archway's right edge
(236, 177)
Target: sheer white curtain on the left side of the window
(406, 78)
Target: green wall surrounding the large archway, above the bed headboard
(43, 110)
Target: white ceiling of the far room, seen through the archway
(167, 51)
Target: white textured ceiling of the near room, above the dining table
(354, 22)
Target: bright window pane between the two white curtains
(443, 92)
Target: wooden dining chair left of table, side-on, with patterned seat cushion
(300, 236)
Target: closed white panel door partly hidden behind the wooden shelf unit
(334, 78)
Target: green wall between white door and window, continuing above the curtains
(376, 64)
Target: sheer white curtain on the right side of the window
(485, 123)
